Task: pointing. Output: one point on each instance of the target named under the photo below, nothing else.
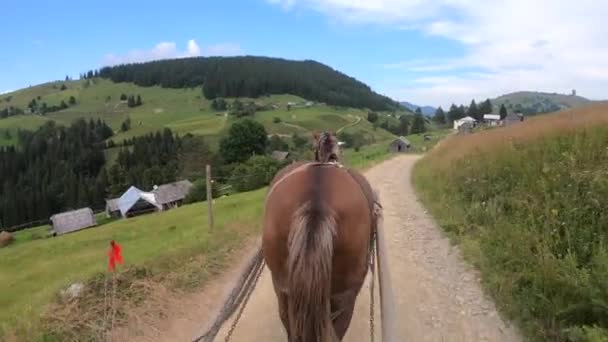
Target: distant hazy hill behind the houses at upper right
(530, 102)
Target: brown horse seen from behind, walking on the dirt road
(318, 226)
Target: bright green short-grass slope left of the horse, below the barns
(175, 234)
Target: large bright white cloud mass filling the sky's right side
(509, 45)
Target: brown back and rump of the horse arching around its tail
(346, 194)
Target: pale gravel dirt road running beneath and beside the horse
(438, 297)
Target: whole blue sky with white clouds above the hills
(429, 52)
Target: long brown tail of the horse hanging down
(311, 248)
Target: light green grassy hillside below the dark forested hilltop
(181, 110)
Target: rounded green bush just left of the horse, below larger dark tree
(255, 173)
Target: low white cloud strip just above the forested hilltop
(166, 50)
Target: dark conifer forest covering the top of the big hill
(250, 77)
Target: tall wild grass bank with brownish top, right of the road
(527, 205)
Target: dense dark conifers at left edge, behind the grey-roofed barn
(55, 168)
